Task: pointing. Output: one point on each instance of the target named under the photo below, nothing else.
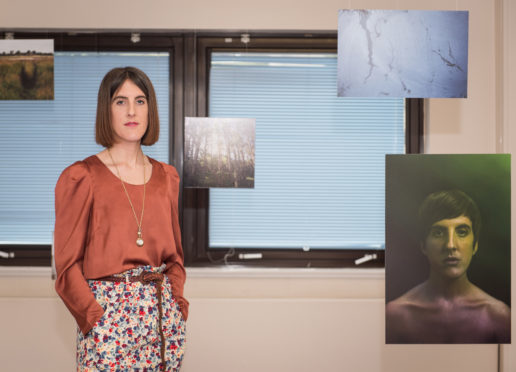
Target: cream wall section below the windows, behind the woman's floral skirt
(244, 320)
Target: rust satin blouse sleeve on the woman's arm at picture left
(73, 202)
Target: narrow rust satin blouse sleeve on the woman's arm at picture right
(175, 269)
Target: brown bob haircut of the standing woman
(111, 82)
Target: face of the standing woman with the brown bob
(129, 113)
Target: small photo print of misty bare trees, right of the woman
(219, 152)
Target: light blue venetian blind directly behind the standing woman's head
(38, 139)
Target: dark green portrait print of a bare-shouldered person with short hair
(447, 258)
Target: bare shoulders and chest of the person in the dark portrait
(477, 317)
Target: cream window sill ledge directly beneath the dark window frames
(231, 282)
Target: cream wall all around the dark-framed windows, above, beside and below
(279, 320)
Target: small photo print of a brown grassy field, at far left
(27, 69)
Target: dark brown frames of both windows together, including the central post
(189, 54)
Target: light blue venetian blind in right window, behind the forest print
(320, 159)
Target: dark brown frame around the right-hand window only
(195, 213)
